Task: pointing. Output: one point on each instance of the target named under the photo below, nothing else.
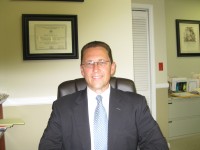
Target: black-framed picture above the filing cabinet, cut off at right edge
(187, 35)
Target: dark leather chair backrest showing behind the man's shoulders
(71, 86)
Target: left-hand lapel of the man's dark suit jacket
(82, 120)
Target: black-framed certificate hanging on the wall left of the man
(49, 36)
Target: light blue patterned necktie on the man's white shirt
(100, 126)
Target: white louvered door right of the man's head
(143, 54)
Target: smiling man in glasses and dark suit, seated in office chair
(127, 119)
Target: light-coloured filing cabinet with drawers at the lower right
(184, 116)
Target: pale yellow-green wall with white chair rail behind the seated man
(29, 82)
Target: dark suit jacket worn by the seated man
(130, 124)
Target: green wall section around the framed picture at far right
(185, 10)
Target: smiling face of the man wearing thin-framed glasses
(97, 75)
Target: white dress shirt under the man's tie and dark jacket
(92, 103)
